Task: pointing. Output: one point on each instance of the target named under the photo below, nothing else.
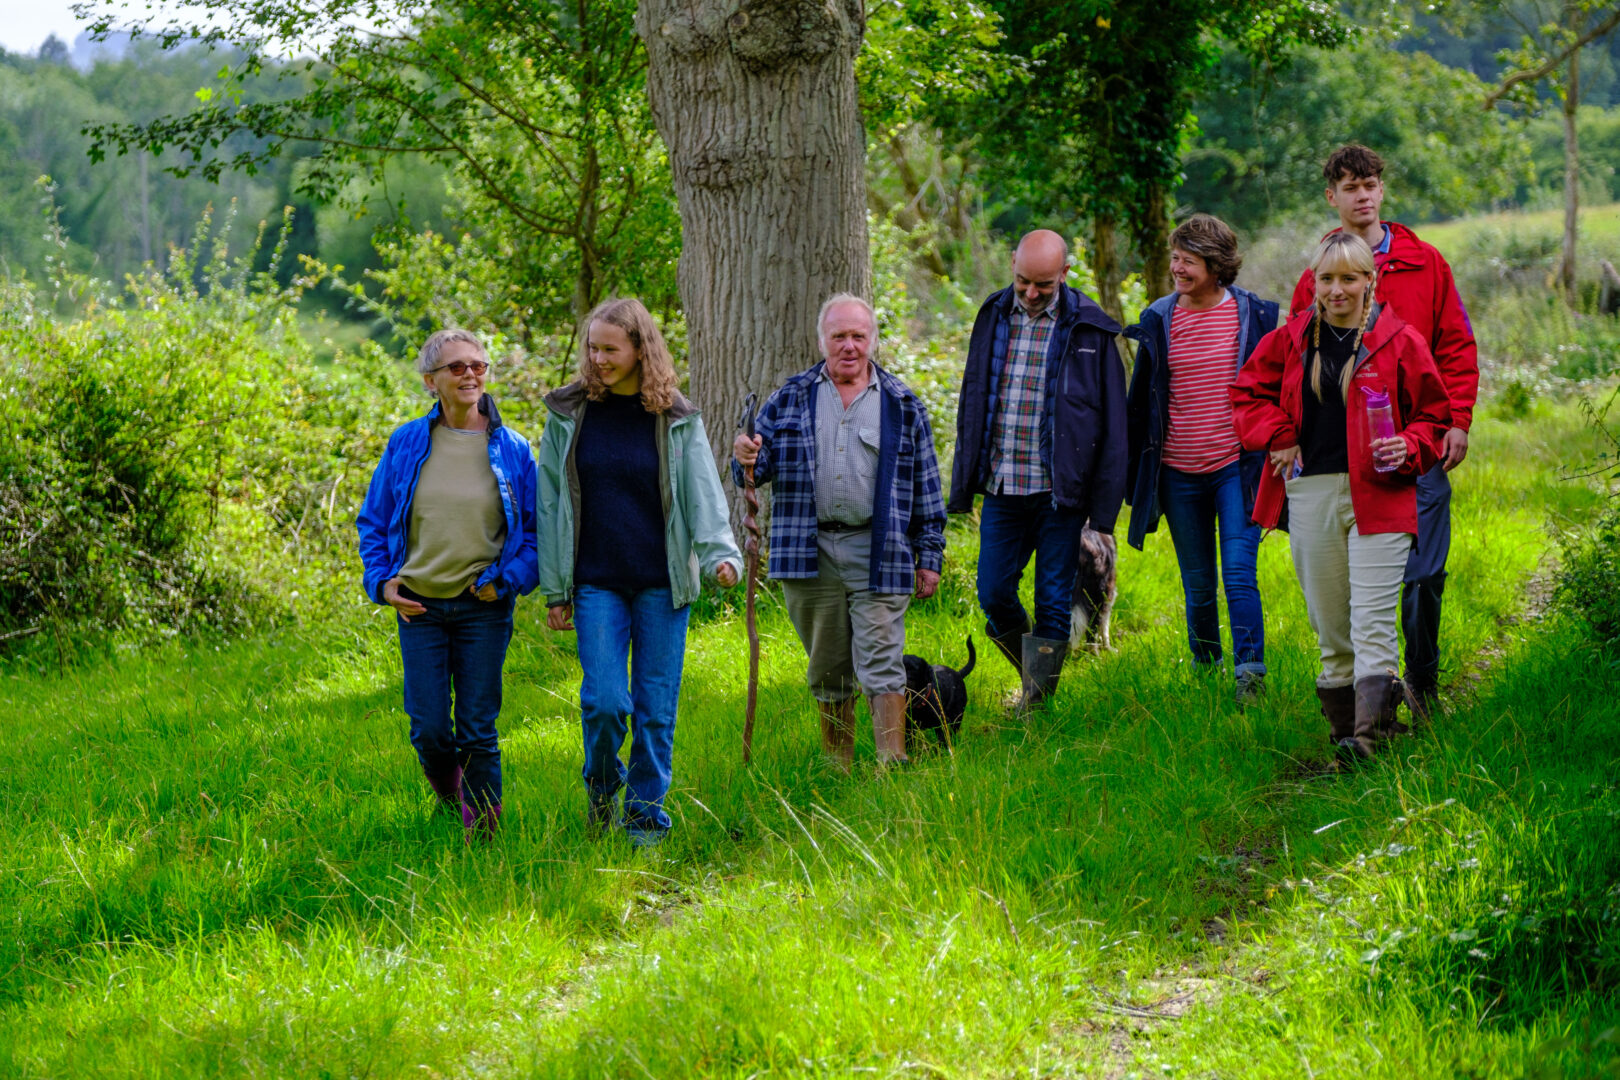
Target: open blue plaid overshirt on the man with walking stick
(908, 512)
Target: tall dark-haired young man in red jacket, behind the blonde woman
(1417, 283)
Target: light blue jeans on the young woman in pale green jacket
(613, 627)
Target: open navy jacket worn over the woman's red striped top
(1148, 407)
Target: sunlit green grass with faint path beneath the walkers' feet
(221, 862)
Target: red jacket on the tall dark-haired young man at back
(1417, 281)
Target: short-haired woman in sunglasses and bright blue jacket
(448, 542)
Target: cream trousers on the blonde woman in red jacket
(1352, 582)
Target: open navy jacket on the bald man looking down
(1083, 440)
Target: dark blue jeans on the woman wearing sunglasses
(456, 652)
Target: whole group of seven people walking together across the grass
(1337, 423)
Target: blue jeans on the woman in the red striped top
(1195, 504)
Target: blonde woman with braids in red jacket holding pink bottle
(1350, 490)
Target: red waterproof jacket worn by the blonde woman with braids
(1268, 412)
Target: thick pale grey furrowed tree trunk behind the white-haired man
(756, 101)
